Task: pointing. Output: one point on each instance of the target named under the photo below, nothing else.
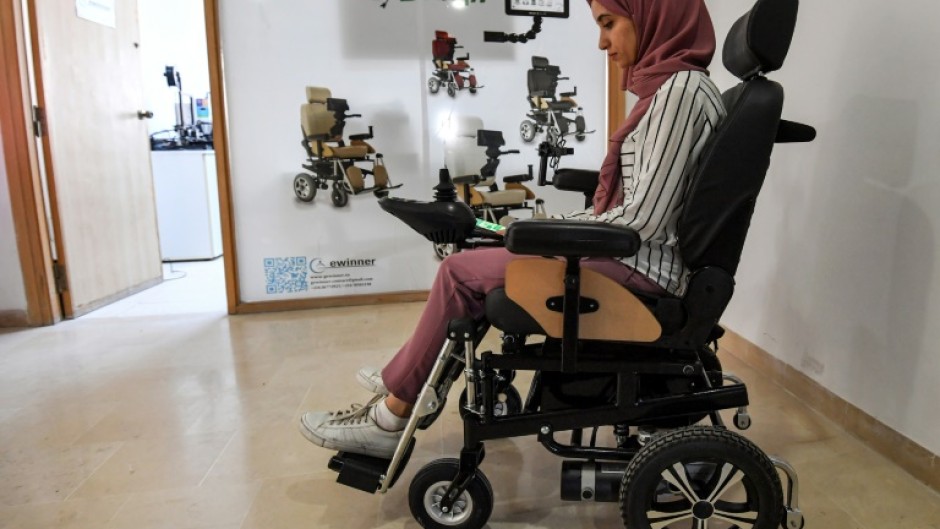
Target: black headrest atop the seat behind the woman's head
(758, 41)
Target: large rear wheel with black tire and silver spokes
(679, 473)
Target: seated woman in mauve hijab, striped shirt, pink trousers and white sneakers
(664, 48)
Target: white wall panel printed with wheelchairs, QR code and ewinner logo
(378, 62)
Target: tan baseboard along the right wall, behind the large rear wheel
(913, 458)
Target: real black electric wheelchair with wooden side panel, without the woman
(643, 366)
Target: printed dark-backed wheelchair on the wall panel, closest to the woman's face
(558, 115)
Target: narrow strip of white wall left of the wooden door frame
(12, 294)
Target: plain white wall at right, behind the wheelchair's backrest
(839, 276)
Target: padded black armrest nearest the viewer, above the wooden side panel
(571, 238)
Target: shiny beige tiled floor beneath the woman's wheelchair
(159, 418)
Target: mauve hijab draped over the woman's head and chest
(672, 36)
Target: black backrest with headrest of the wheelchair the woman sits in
(731, 171)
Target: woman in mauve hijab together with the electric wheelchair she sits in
(628, 340)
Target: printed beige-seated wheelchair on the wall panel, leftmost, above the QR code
(330, 159)
